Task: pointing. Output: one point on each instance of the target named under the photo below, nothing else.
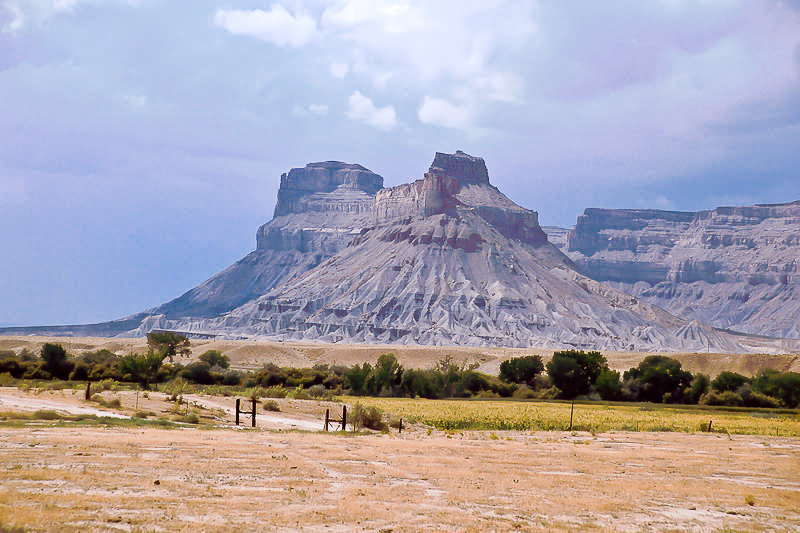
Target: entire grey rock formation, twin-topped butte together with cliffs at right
(449, 260)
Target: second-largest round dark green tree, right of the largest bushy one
(661, 379)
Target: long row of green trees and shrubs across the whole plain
(569, 374)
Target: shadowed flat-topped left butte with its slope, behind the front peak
(320, 209)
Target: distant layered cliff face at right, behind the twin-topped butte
(731, 267)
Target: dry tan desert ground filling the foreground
(286, 475)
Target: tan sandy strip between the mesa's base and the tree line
(254, 354)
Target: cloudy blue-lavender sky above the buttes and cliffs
(142, 141)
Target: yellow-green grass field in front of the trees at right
(595, 417)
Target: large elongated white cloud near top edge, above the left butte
(276, 26)
